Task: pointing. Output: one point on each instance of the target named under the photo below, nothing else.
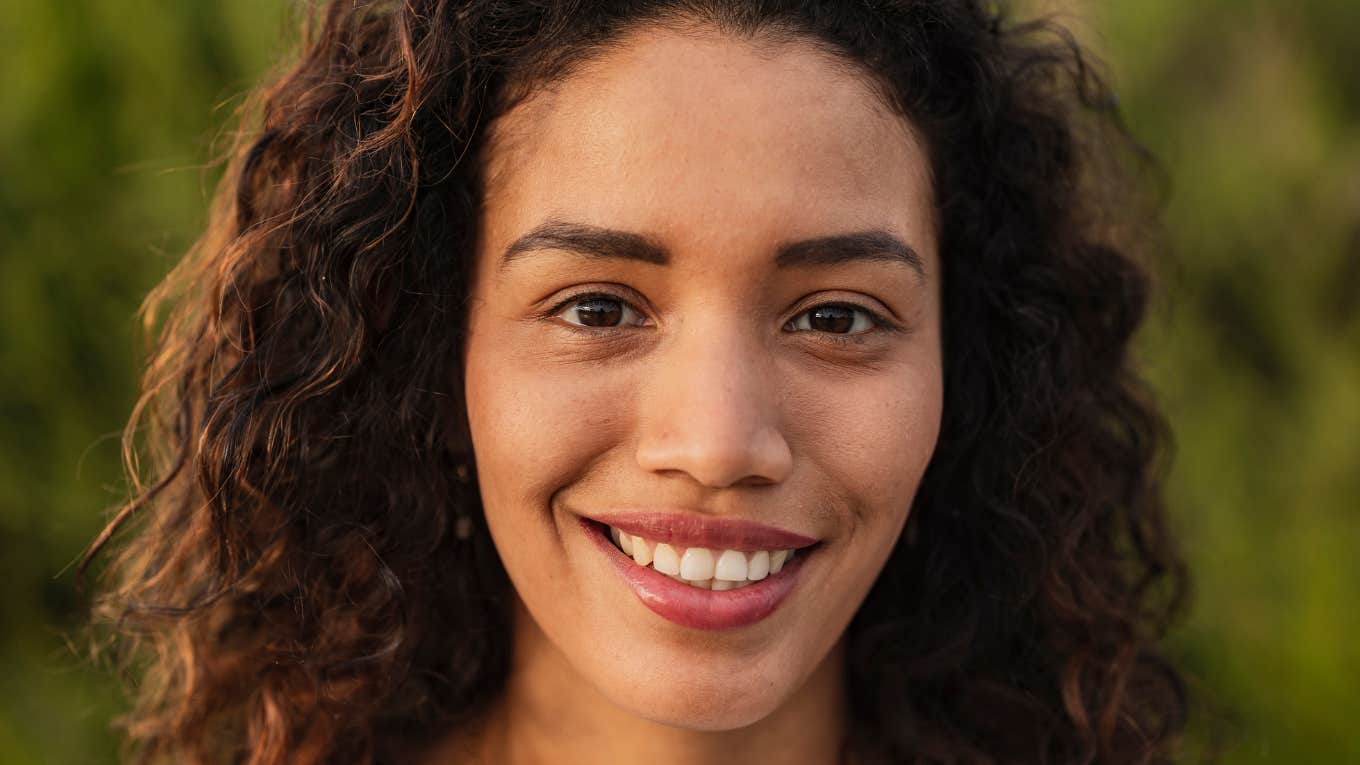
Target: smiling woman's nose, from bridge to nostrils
(712, 412)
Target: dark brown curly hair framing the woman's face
(286, 585)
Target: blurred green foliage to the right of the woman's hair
(1255, 110)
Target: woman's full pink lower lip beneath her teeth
(692, 606)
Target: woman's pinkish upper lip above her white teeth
(693, 530)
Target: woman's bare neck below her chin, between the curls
(550, 714)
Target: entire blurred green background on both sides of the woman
(111, 112)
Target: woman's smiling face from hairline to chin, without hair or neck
(705, 312)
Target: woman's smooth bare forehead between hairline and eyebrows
(705, 141)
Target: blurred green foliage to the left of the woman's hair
(108, 112)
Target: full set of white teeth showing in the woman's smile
(701, 567)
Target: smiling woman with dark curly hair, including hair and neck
(668, 382)
